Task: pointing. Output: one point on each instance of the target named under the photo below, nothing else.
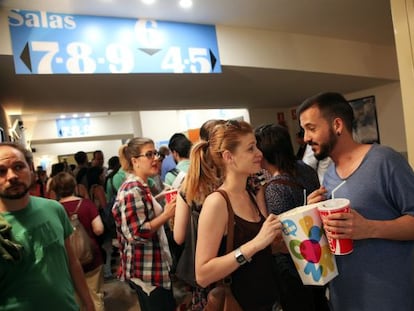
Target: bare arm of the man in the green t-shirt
(78, 278)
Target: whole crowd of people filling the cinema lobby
(39, 269)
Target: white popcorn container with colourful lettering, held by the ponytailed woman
(307, 245)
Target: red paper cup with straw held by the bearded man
(325, 208)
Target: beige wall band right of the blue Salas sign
(289, 51)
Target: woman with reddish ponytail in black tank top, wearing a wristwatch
(232, 154)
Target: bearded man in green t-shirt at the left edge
(38, 268)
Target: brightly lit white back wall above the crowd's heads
(157, 125)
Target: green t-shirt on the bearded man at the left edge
(41, 280)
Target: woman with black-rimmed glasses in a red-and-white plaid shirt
(145, 256)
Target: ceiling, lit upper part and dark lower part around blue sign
(368, 21)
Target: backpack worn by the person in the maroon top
(80, 240)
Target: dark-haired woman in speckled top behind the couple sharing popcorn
(291, 180)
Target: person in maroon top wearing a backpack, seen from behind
(64, 184)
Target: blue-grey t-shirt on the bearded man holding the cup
(378, 274)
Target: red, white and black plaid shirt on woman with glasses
(140, 250)
